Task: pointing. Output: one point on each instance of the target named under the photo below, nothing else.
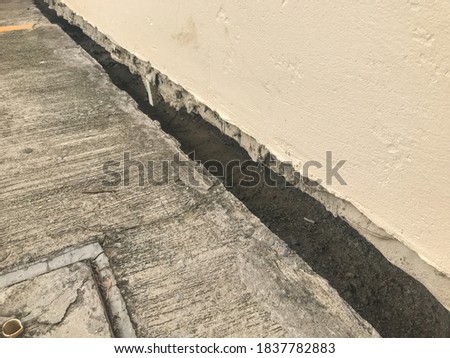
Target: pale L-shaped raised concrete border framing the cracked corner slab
(115, 306)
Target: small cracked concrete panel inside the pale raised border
(61, 303)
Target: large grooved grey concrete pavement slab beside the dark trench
(189, 261)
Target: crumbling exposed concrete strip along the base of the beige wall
(159, 85)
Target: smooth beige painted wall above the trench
(368, 80)
